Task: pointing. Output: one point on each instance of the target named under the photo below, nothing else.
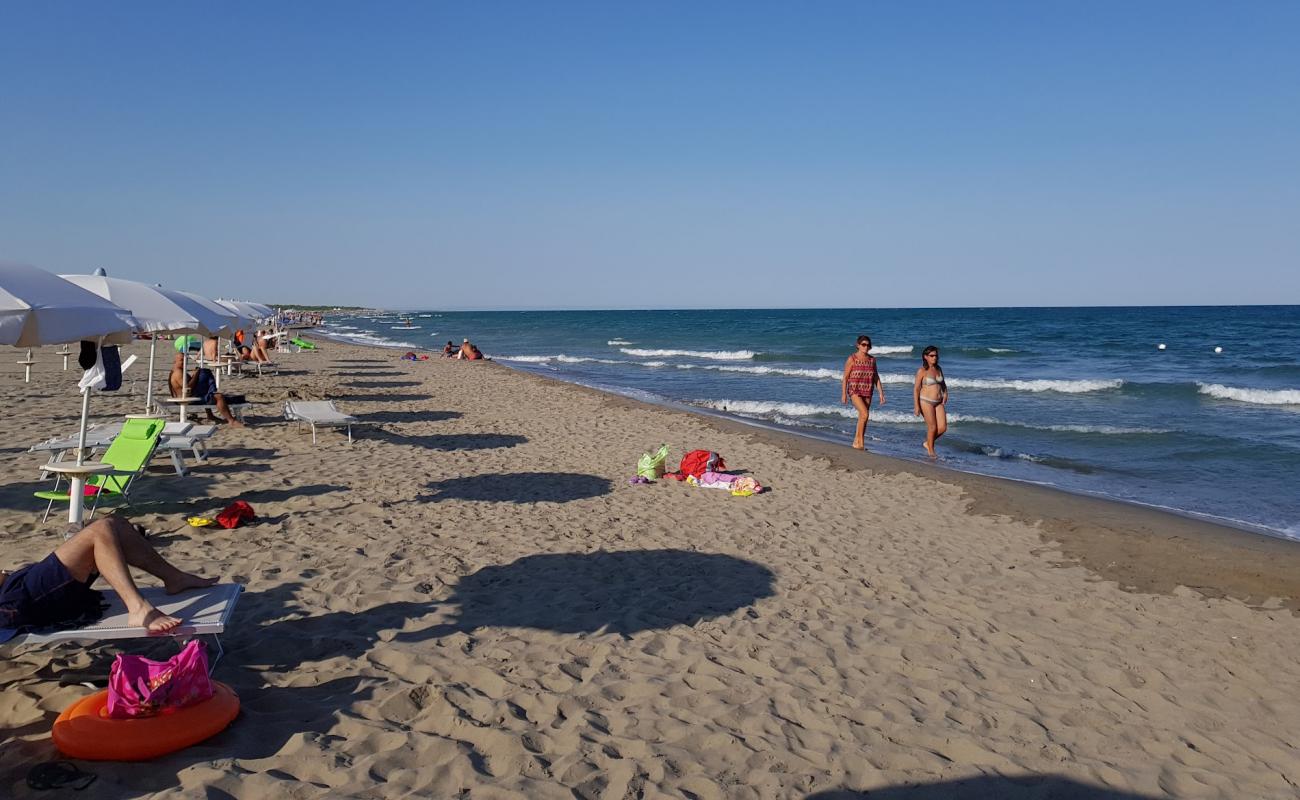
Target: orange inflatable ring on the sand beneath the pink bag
(84, 732)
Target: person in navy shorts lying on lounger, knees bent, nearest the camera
(55, 593)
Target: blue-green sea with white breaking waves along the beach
(1195, 410)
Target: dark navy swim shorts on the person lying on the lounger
(45, 595)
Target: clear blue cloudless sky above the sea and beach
(575, 155)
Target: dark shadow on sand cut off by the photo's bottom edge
(987, 788)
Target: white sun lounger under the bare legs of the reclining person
(203, 613)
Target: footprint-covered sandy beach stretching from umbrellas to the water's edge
(473, 602)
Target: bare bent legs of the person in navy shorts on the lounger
(112, 544)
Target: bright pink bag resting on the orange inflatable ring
(138, 687)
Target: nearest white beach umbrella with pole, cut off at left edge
(38, 308)
